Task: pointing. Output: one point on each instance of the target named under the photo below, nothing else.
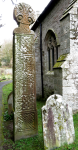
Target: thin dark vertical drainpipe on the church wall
(41, 59)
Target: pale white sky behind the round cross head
(6, 10)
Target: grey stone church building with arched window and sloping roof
(56, 51)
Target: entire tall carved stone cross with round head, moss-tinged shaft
(24, 80)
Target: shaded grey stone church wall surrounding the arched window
(51, 22)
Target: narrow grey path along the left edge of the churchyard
(1, 85)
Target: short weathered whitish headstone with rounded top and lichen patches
(58, 127)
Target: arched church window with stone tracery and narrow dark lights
(52, 49)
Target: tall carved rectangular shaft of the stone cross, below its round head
(25, 87)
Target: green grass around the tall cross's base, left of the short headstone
(33, 143)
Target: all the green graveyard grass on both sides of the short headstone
(33, 143)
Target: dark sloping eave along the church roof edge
(45, 12)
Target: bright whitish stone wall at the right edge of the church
(70, 73)
